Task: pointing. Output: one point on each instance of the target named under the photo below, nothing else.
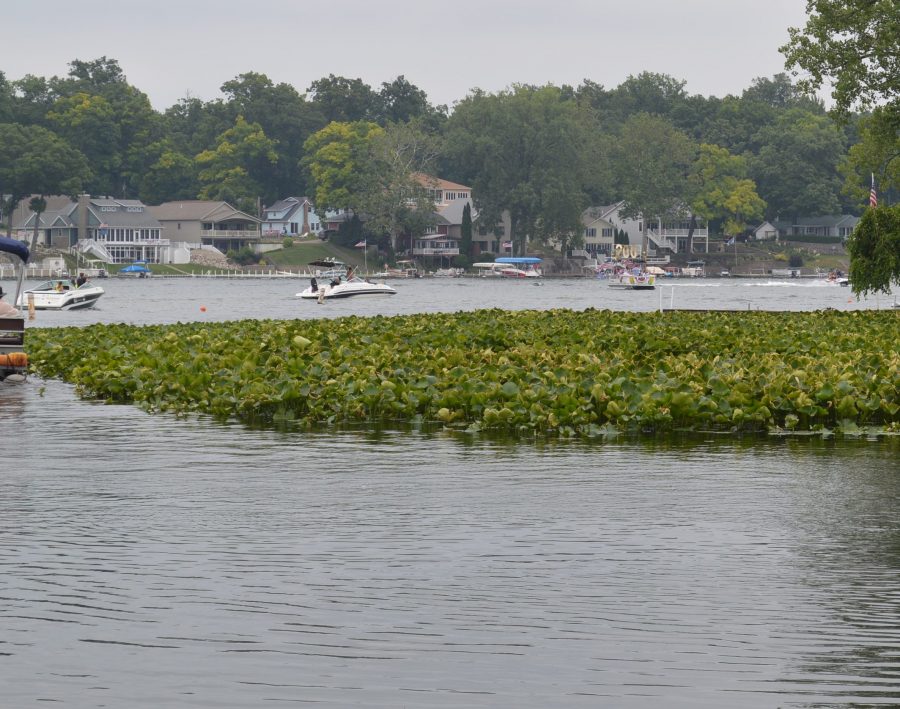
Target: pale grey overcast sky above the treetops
(170, 49)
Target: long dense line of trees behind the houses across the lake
(540, 153)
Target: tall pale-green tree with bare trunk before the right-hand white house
(653, 160)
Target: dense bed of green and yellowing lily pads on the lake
(535, 373)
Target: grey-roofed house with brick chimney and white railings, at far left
(114, 230)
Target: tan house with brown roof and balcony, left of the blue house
(207, 223)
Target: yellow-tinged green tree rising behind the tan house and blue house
(235, 170)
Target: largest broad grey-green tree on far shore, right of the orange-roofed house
(527, 151)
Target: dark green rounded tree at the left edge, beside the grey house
(36, 161)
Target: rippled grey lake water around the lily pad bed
(147, 561)
